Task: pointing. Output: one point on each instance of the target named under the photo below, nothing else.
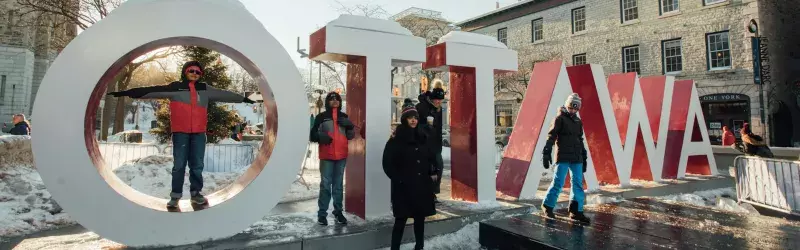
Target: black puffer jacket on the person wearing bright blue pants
(567, 133)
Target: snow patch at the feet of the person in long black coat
(464, 239)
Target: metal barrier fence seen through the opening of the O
(218, 157)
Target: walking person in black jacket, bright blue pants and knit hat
(567, 133)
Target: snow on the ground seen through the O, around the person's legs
(152, 175)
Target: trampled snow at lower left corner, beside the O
(25, 204)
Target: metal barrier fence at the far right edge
(770, 183)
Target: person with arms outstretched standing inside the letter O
(188, 105)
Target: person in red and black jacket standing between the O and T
(332, 129)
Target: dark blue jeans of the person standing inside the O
(187, 148)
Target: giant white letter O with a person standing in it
(60, 142)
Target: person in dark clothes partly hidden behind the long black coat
(430, 107)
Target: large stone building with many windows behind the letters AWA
(703, 40)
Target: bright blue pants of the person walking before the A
(577, 194)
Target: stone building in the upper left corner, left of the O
(28, 44)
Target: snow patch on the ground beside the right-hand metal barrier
(721, 199)
